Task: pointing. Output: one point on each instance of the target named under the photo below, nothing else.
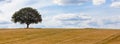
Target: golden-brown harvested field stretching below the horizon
(59, 36)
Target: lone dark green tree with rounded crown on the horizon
(27, 16)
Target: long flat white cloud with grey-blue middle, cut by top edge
(70, 2)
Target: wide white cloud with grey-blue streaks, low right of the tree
(69, 20)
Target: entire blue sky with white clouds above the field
(64, 13)
